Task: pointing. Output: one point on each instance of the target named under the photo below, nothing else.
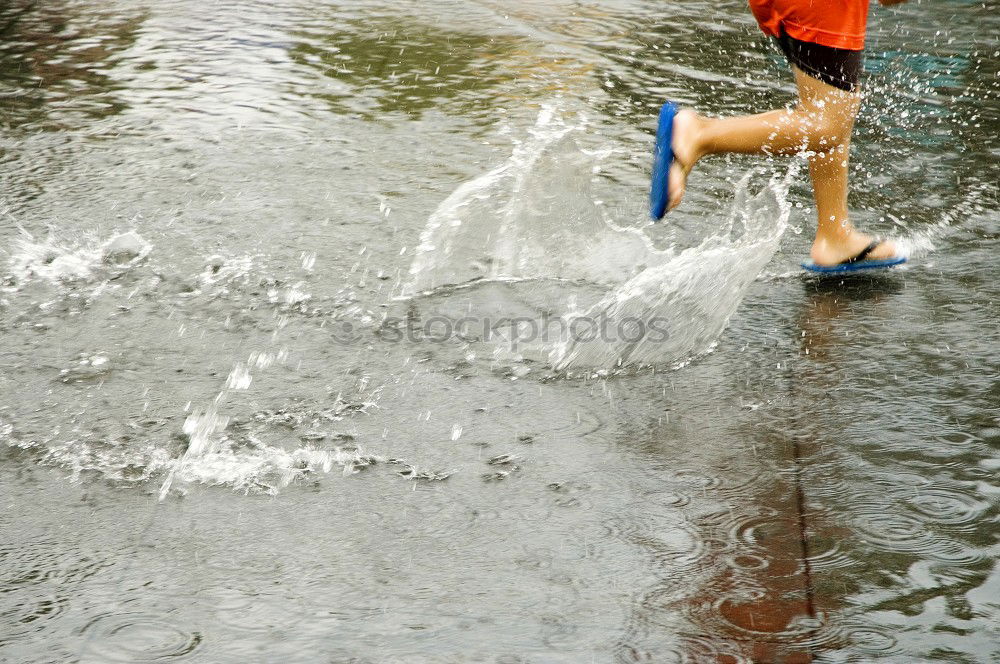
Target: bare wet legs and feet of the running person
(821, 124)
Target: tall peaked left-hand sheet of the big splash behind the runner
(534, 216)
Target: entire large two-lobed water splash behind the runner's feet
(533, 218)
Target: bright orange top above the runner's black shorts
(834, 23)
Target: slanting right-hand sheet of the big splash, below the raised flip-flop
(679, 308)
